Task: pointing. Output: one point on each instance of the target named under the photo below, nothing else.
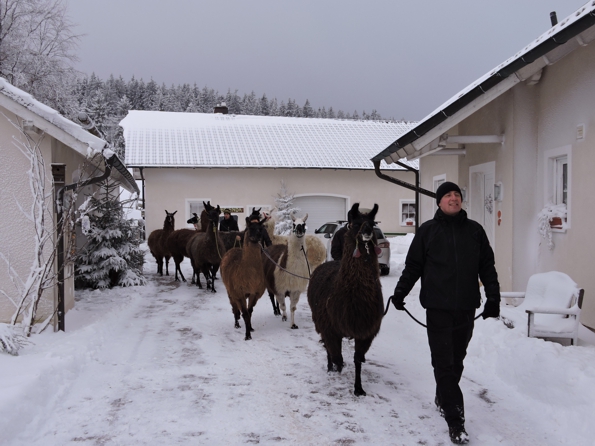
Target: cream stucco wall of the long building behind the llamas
(169, 189)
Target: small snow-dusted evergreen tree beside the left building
(112, 256)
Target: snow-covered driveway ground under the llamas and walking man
(162, 364)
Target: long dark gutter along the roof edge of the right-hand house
(560, 38)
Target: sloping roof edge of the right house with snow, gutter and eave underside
(427, 136)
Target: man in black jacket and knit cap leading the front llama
(450, 253)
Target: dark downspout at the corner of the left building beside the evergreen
(60, 311)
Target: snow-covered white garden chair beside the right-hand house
(552, 302)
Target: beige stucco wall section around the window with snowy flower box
(567, 99)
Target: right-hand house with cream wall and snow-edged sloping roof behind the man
(520, 142)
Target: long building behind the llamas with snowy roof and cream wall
(240, 162)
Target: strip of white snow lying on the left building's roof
(52, 116)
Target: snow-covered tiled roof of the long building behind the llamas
(171, 139)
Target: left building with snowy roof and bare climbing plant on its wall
(70, 155)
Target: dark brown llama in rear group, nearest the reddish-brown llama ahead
(206, 250)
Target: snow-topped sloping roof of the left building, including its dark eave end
(57, 126)
